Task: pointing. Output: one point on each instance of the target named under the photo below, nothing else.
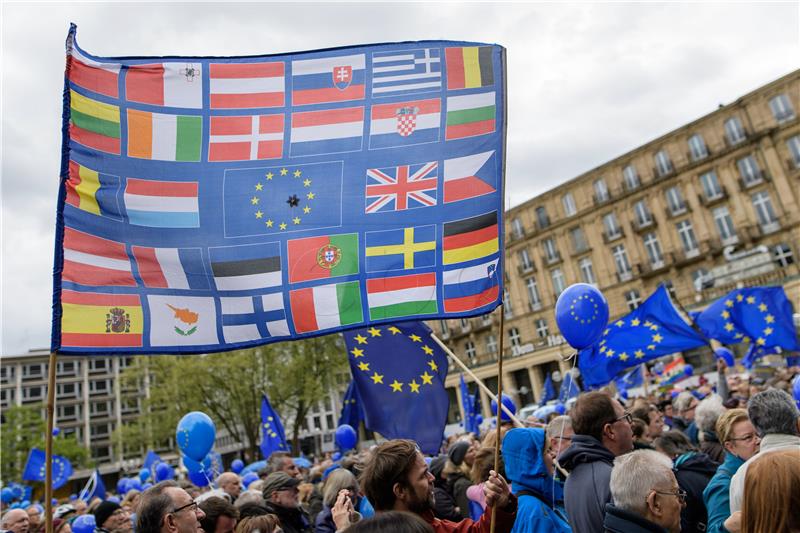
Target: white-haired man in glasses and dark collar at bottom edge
(646, 495)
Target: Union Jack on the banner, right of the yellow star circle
(402, 187)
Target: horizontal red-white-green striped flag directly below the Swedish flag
(402, 296)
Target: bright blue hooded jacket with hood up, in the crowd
(525, 468)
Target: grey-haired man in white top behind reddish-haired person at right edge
(776, 420)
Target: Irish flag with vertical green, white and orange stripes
(164, 137)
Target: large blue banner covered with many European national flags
(215, 203)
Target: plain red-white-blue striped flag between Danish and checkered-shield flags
(330, 131)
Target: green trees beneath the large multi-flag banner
(228, 387)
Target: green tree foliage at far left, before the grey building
(24, 428)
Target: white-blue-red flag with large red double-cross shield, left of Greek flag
(328, 79)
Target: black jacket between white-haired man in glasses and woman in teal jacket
(693, 471)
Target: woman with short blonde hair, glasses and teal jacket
(739, 438)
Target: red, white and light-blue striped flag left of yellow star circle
(162, 204)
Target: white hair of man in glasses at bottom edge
(635, 474)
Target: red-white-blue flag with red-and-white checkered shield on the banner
(405, 123)
